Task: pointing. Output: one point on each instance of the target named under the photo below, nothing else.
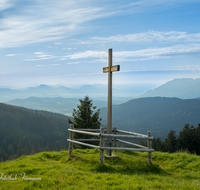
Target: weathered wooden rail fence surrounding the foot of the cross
(101, 134)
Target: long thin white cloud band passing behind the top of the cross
(124, 56)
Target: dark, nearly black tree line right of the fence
(188, 140)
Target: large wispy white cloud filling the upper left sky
(38, 21)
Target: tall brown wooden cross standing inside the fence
(109, 70)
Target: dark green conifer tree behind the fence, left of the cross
(85, 117)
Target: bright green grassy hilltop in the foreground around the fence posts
(129, 170)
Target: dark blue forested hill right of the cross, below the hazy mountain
(159, 115)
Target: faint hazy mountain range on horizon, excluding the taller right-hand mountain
(97, 91)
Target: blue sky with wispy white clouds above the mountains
(66, 42)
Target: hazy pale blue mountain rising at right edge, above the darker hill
(185, 88)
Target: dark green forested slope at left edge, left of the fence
(25, 131)
